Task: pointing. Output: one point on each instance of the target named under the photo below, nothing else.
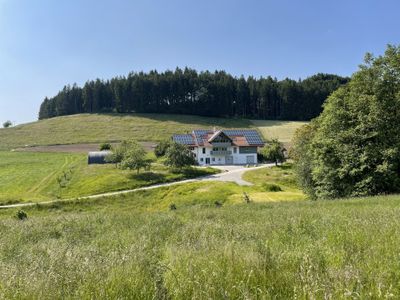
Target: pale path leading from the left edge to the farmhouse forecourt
(232, 174)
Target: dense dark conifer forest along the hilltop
(217, 94)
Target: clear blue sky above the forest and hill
(45, 44)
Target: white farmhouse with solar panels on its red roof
(222, 147)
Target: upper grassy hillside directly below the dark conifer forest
(95, 128)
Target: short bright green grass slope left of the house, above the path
(34, 177)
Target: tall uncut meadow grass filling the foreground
(306, 250)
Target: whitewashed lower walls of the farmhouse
(238, 158)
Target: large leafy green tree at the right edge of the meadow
(355, 149)
